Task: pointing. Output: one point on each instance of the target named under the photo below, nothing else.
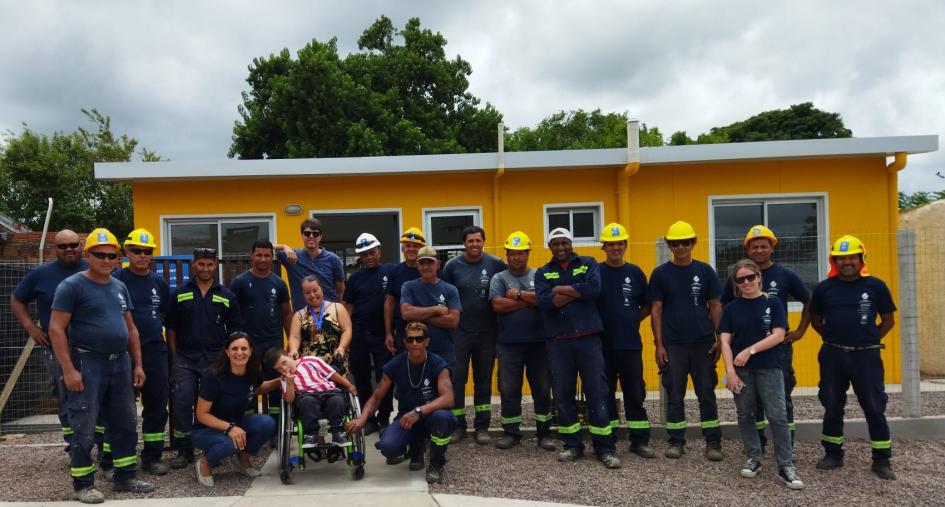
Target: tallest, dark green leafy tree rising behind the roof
(400, 94)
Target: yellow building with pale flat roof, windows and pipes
(808, 192)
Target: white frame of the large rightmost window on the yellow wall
(819, 199)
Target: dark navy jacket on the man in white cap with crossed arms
(579, 317)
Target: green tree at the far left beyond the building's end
(35, 166)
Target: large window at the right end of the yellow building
(798, 222)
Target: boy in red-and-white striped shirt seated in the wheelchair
(312, 386)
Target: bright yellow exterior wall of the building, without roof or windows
(856, 191)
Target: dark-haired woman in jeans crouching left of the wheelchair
(223, 428)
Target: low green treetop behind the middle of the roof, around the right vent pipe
(579, 129)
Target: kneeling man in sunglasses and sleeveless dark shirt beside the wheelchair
(421, 383)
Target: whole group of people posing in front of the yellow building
(411, 330)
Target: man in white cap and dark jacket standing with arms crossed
(567, 288)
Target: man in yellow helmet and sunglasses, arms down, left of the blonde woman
(684, 314)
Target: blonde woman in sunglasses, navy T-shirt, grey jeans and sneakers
(752, 326)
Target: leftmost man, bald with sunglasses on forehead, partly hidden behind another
(39, 285)
